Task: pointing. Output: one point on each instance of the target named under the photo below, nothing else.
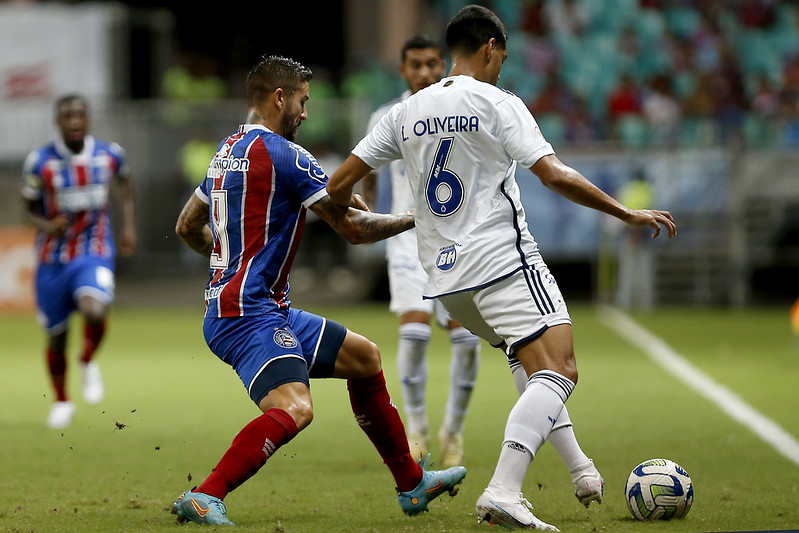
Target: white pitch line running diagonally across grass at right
(723, 398)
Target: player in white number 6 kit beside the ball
(461, 140)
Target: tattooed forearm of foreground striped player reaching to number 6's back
(360, 226)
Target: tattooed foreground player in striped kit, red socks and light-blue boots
(255, 196)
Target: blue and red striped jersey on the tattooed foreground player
(258, 188)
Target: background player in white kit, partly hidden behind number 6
(421, 65)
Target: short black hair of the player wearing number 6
(472, 27)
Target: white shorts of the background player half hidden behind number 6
(407, 279)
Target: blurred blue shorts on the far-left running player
(58, 287)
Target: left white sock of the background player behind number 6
(412, 368)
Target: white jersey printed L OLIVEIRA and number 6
(460, 140)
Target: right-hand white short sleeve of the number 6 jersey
(519, 133)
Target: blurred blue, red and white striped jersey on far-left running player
(76, 185)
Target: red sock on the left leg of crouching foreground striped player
(254, 444)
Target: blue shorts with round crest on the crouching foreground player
(280, 347)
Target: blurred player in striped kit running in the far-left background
(66, 191)
